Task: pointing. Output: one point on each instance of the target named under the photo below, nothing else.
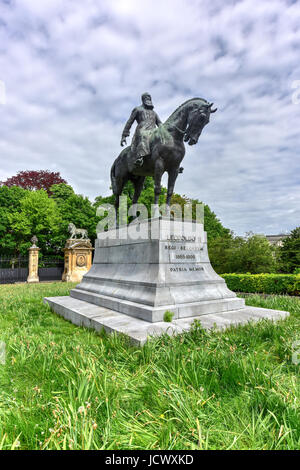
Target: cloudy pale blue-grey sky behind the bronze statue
(73, 70)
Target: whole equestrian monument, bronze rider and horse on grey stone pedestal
(154, 276)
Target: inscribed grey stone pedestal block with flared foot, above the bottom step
(157, 266)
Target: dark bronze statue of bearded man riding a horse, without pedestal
(157, 147)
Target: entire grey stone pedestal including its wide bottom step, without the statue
(140, 273)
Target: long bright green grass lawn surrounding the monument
(65, 387)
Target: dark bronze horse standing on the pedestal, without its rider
(167, 151)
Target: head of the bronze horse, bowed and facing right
(198, 118)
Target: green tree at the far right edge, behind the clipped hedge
(289, 252)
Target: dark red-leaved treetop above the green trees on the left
(30, 179)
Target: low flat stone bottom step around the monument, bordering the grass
(89, 315)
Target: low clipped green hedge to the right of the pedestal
(264, 283)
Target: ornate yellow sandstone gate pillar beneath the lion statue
(78, 259)
